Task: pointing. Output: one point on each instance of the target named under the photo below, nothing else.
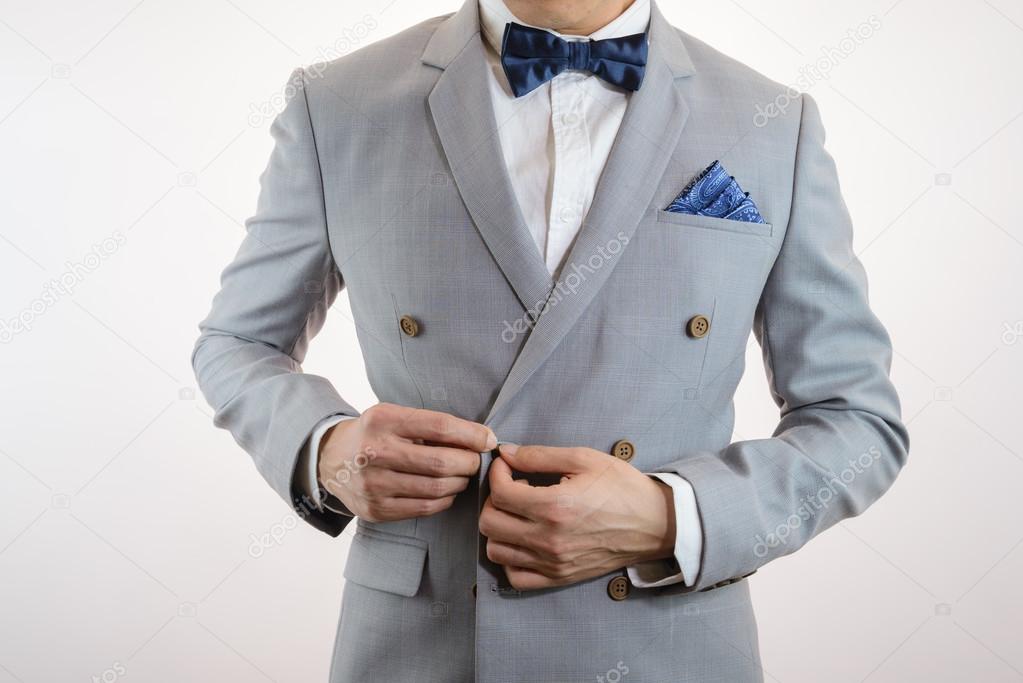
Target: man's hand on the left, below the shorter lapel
(395, 464)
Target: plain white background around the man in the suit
(127, 521)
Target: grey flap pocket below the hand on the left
(386, 562)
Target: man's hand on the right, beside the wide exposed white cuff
(603, 516)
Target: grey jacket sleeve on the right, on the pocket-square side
(840, 442)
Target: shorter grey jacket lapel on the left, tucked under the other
(464, 116)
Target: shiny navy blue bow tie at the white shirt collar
(531, 58)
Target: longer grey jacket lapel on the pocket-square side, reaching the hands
(650, 131)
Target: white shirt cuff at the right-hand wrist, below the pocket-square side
(689, 541)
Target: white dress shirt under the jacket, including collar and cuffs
(556, 142)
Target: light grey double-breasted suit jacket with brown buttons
(387, 179)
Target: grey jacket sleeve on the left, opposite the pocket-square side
(274, 299)
